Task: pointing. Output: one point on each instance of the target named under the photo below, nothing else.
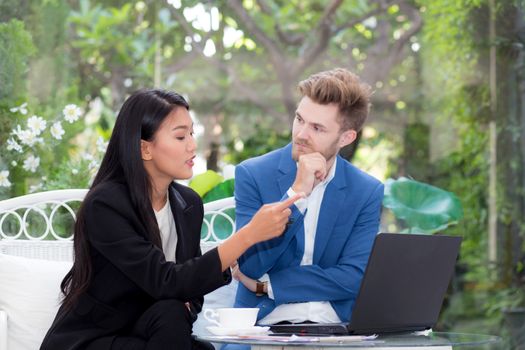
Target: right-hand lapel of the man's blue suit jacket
(332, 205)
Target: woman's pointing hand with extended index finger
(270, 221)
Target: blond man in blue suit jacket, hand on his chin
(313, 271)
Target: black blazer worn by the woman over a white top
(129, 273)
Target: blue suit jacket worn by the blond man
(348, 222)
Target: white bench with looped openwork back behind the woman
(40, 226)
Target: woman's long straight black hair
(139, 119)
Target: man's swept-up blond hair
(343, 88)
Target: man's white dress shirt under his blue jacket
(315, 311)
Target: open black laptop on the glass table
(402, 289)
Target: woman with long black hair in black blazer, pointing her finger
(138, 277)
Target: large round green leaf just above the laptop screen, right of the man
(424, 208)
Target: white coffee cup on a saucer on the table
(238, 318)
